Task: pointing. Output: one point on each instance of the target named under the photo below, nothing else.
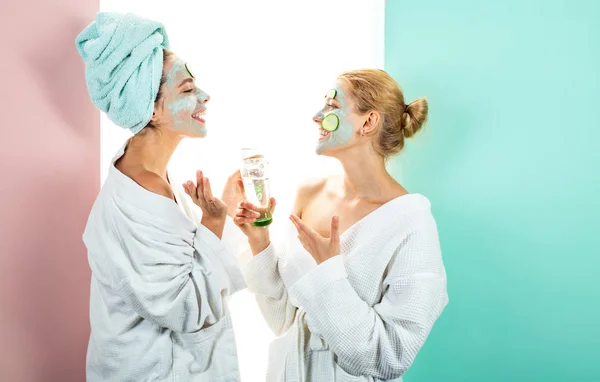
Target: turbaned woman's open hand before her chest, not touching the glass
(214, 211)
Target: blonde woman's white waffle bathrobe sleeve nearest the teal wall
(380, 341)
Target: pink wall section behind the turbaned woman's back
(49, 168)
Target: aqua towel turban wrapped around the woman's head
(123, 56)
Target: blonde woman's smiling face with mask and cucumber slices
(337, 102)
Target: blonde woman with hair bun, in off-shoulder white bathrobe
(357, 286)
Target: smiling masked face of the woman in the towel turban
(183, 105)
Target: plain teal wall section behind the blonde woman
(510, 160)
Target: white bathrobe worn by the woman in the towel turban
(159, 286)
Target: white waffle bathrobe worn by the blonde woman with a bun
(362, 315)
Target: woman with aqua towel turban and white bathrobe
(160, 274)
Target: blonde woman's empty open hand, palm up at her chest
(320, 248)
